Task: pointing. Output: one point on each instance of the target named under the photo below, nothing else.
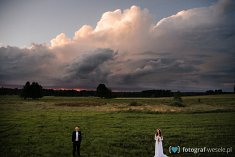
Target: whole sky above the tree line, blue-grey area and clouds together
(130, 45)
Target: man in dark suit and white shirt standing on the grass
(76, 139)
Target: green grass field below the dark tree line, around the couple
(112, 127)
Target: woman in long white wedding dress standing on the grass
(158, 144)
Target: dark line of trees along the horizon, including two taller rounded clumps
(34, 90)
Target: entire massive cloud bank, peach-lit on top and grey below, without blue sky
(191, 50)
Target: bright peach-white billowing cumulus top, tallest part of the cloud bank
(124, 31)
